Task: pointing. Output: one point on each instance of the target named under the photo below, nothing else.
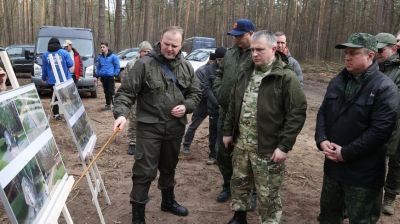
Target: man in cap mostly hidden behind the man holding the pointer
(144, 48)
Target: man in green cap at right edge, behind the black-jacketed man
(389, 64)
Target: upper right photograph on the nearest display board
(31, 114)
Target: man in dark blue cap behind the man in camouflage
(235, 58)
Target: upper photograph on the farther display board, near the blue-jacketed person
(69, 97)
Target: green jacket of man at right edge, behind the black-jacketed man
(391, 68)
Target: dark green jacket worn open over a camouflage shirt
(281, 107)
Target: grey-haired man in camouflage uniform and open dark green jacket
(266, 112)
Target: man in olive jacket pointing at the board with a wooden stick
(165, 88)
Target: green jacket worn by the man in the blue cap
(227, 73)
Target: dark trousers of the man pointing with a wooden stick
(157, 148)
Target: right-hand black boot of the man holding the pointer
(168, 203)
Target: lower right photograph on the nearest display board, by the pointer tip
(50, 163)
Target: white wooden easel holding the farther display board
(93, 176)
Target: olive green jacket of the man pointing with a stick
(155, 93)
